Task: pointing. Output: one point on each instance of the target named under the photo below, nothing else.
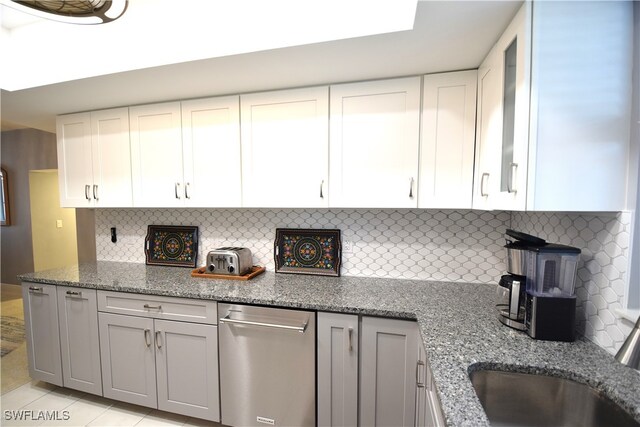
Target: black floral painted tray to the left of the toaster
(171, 245)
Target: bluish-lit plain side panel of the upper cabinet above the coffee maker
(580, 109)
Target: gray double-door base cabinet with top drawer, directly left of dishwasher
(165, 364)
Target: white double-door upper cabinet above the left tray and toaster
(186, 154)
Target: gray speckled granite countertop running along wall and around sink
(457, 321)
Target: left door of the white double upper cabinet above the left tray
(156, 155)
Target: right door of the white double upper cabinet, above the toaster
(211, 141)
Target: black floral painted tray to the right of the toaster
(308, 251)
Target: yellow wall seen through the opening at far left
(53, 229)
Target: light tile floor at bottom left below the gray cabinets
(81, 409)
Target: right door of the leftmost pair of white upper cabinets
(111, 153)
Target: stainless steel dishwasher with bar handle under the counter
(267, 366)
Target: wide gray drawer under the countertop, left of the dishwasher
(157, 307)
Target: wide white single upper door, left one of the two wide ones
(285, 148)
